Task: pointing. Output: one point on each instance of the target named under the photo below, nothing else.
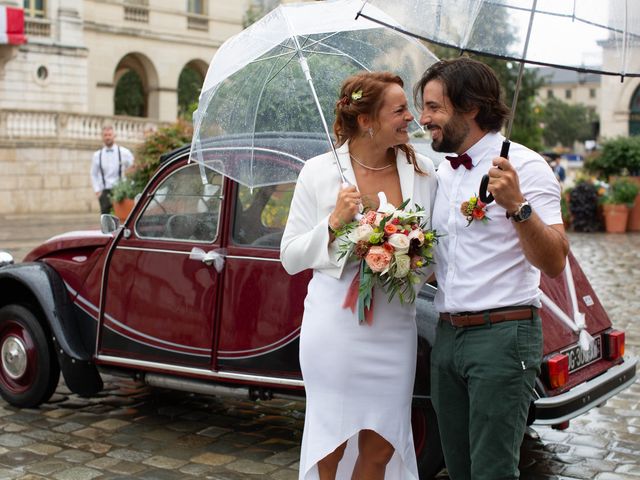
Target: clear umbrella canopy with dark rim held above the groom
(556, 33)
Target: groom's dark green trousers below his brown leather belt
(482, 382)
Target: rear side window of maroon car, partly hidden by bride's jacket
(261, 214)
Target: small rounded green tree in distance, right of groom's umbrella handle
(564, 124)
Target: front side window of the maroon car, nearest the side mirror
(184, 207)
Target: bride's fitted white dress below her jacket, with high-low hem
(357, 376)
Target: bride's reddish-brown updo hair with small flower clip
(363, 94)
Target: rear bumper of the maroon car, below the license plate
(580, 399)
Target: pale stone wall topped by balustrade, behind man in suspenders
(45, 158)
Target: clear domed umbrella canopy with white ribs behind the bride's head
(281, 78)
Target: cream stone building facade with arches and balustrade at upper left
(58, 89)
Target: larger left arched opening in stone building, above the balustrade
(134, 79)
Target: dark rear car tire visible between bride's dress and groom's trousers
(426, 439)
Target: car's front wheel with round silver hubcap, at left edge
(29, 369)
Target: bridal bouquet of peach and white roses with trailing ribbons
(392, 244)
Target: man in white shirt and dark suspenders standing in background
(108, 166)
